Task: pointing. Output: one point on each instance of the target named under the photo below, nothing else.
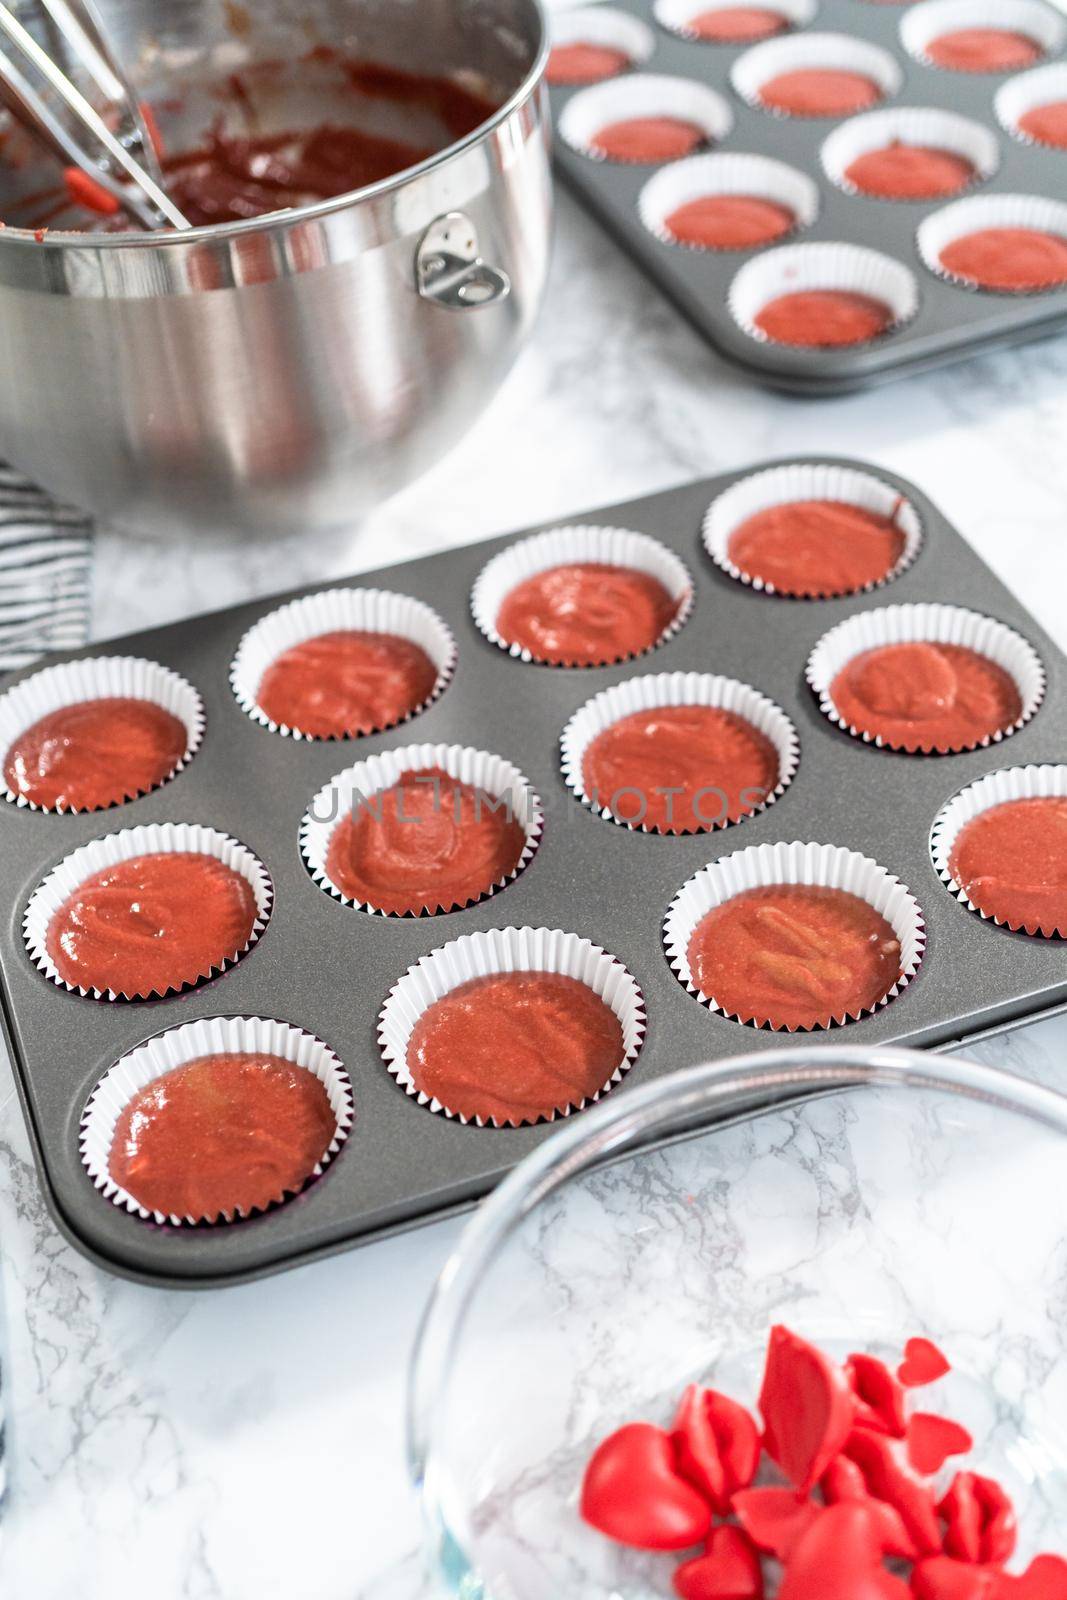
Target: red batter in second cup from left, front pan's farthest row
(345, 684)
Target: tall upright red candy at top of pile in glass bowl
(809, 1409)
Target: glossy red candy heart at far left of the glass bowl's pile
(634, 1494)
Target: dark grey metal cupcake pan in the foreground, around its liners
(327, 970)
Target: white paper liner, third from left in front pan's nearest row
(826, 866)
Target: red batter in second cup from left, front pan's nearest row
(516, 1047)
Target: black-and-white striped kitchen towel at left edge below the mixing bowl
(46, 574)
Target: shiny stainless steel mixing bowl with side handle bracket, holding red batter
(289, 372)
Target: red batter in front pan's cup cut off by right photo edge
(1012, 863)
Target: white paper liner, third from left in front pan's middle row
(677, 689)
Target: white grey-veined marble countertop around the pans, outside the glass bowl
(247, 1444)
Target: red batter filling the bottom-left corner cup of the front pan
(222, 1135)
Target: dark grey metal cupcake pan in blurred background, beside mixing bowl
(949, 321)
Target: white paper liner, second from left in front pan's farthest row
(340, 610)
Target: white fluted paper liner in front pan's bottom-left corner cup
(209, 1038)
